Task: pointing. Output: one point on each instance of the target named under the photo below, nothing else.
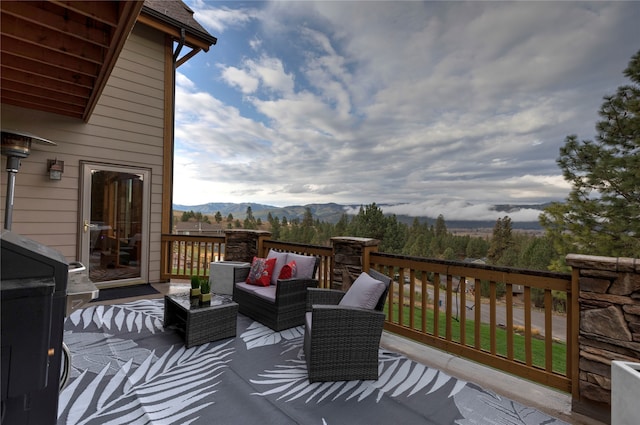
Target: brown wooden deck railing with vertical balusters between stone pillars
(504, 332)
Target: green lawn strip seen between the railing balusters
(559, 349)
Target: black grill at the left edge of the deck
(33, 284)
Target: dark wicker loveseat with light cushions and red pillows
(282, 304)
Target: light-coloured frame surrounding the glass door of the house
(84, 243)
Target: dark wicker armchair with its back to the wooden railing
(341, 343)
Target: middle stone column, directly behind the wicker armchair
(350, 258)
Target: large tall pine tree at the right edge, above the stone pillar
(601, 215)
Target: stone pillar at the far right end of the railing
(609, 329)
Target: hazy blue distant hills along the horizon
(332, 212)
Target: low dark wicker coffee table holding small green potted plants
(201, 323)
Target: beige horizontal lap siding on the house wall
(126, 128)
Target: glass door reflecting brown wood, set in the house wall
(115, 205)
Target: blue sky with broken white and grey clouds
(438, 107)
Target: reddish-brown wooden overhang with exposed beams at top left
(56, 56)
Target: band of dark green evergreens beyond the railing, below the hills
(505, 247)
